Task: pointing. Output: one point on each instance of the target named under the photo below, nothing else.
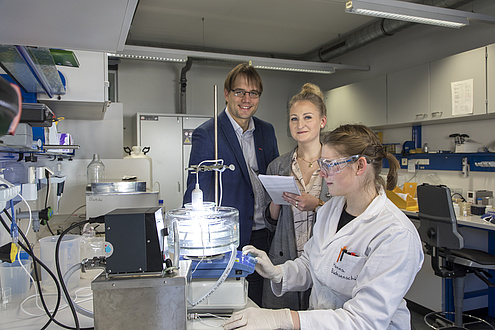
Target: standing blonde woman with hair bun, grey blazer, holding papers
(292, 224)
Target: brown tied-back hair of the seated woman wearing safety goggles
(351, 140)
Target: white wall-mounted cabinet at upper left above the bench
(86, 88)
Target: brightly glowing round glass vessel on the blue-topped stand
(209, 231)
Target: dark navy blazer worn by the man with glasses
(237, 189)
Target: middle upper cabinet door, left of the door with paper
(408, 95)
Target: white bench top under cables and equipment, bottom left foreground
(14, 318)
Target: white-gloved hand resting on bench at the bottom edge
(258, 318)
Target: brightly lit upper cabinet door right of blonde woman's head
(363, 102)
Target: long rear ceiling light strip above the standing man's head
(175, 55)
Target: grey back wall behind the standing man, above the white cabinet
(146, 86)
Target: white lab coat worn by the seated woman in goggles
(365, 291)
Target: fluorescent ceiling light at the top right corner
(413, 12)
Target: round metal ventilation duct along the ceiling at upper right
(372, 32)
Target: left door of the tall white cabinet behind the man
(164, 137)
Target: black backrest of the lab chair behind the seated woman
(438, 224)
